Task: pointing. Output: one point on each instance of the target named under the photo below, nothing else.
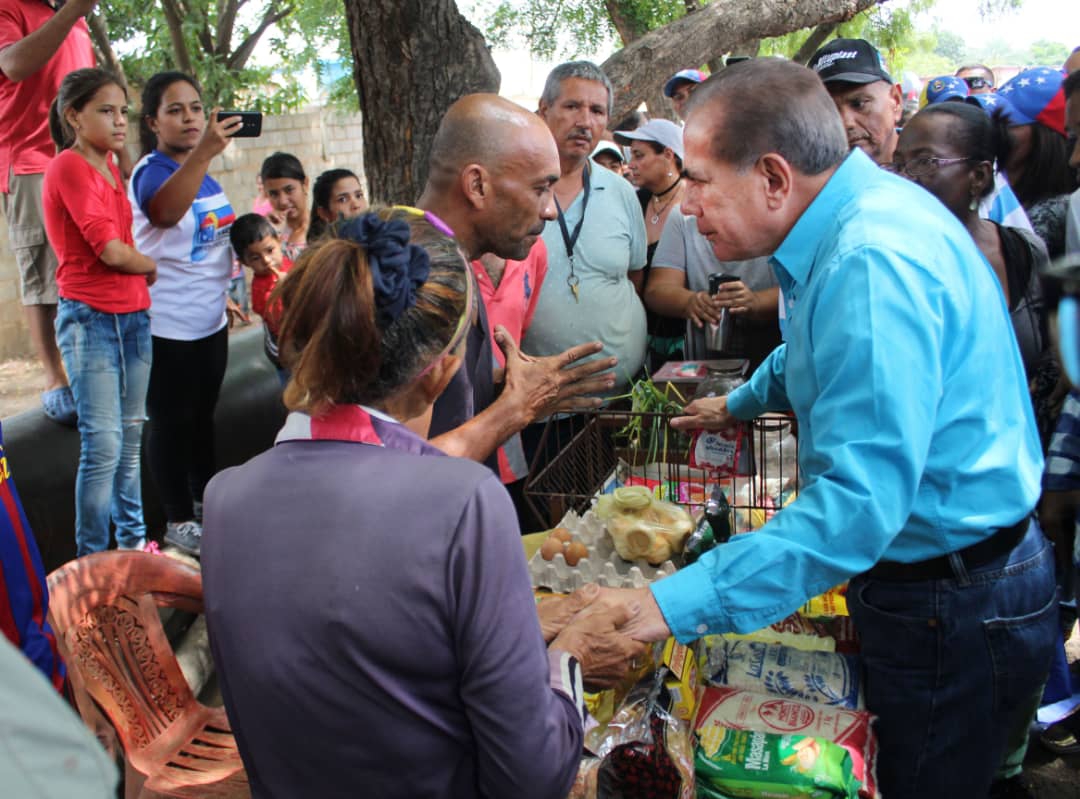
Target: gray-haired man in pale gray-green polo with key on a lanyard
(597, 247)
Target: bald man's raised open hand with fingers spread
(545, 386)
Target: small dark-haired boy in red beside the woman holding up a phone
(258, 247)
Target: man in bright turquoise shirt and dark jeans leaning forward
(919, 453)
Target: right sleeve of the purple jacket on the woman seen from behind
(528, 725)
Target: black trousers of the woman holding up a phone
(185, 381)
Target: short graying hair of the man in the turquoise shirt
(768, 105)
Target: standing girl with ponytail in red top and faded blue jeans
(103, 328)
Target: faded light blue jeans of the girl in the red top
(107, 358)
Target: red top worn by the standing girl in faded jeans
(84, 214)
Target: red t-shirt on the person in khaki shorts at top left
(25, 145)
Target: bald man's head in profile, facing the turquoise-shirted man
(491, 171)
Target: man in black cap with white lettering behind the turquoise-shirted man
(869, 101)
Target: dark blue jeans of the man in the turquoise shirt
(953, 667)
